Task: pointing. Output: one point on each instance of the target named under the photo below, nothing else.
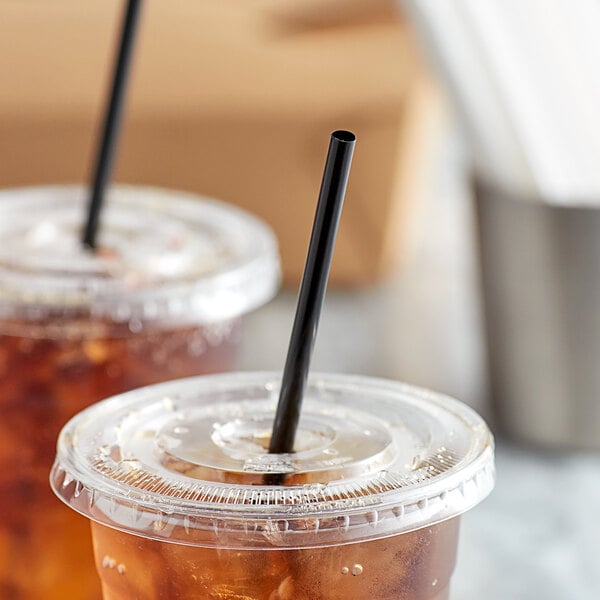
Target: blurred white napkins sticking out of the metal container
(525, 75)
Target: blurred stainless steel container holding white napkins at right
(541, 288)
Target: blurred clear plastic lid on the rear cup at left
(161, 254)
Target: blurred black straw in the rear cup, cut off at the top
(112, 120)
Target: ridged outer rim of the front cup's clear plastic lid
(206, 516)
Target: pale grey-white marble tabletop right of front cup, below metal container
(537, 536)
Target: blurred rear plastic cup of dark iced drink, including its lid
(162, 298)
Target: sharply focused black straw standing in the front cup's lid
(312, 290)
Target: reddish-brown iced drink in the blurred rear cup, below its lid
(44, 381)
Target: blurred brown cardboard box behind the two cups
(234, 100)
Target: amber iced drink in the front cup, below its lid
(411, 566)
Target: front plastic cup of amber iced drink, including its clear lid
(175, 480)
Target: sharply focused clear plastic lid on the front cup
(187, 462)
